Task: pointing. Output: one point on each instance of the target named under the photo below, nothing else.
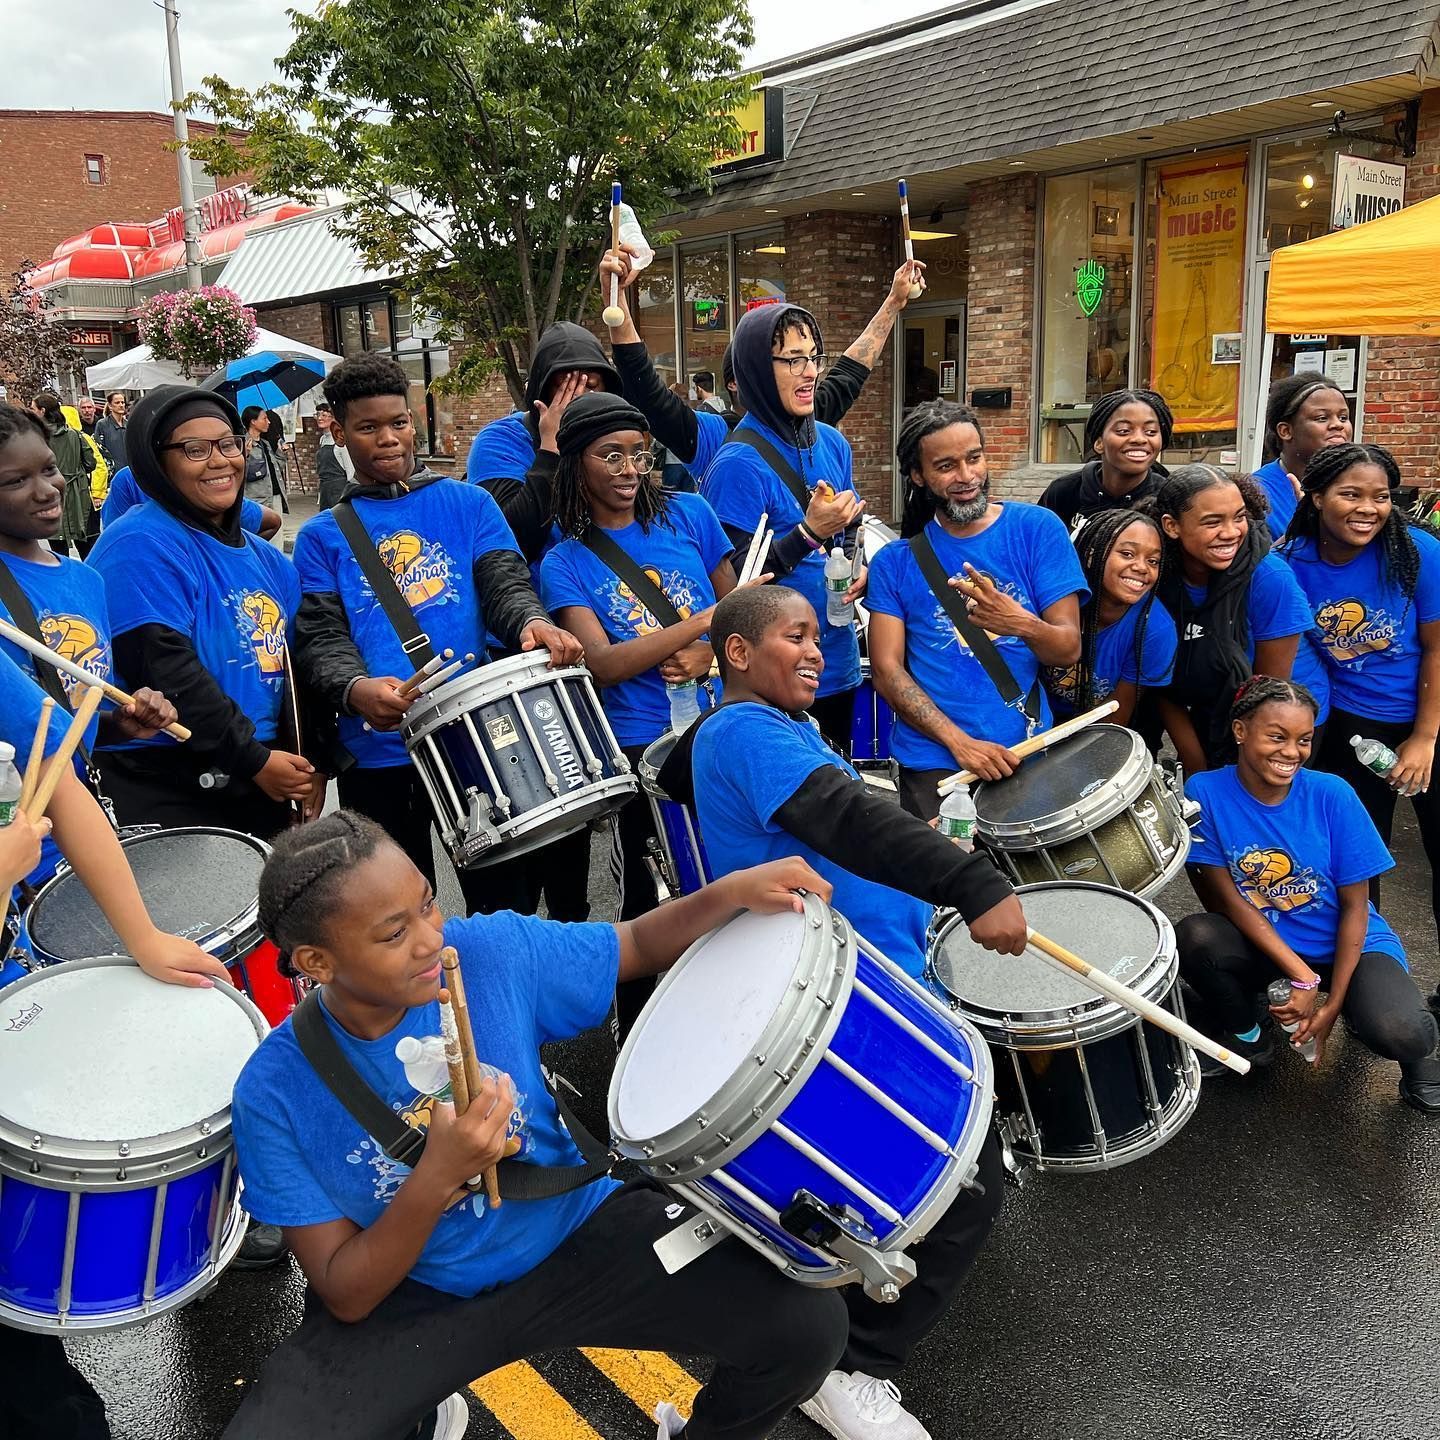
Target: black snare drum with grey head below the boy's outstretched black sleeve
(1089, 1085)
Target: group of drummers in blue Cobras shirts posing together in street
(1259, 649)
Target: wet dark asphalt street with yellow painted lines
(1272, 1272)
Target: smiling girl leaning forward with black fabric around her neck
(1238, 608)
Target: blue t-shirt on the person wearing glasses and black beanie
(679, 558)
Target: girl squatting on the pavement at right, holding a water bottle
(1282, 862)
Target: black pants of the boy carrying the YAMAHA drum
(394, 797)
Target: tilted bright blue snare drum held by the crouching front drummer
(804, 1092)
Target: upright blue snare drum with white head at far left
(119, 1192)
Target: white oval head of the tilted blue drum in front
(705, 1022)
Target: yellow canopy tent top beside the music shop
(1380, 279)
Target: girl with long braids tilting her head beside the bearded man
(1127, 640)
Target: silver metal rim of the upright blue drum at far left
(70, 1164)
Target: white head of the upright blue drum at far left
(106, 1053)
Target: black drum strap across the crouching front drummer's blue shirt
(405, 1144)
